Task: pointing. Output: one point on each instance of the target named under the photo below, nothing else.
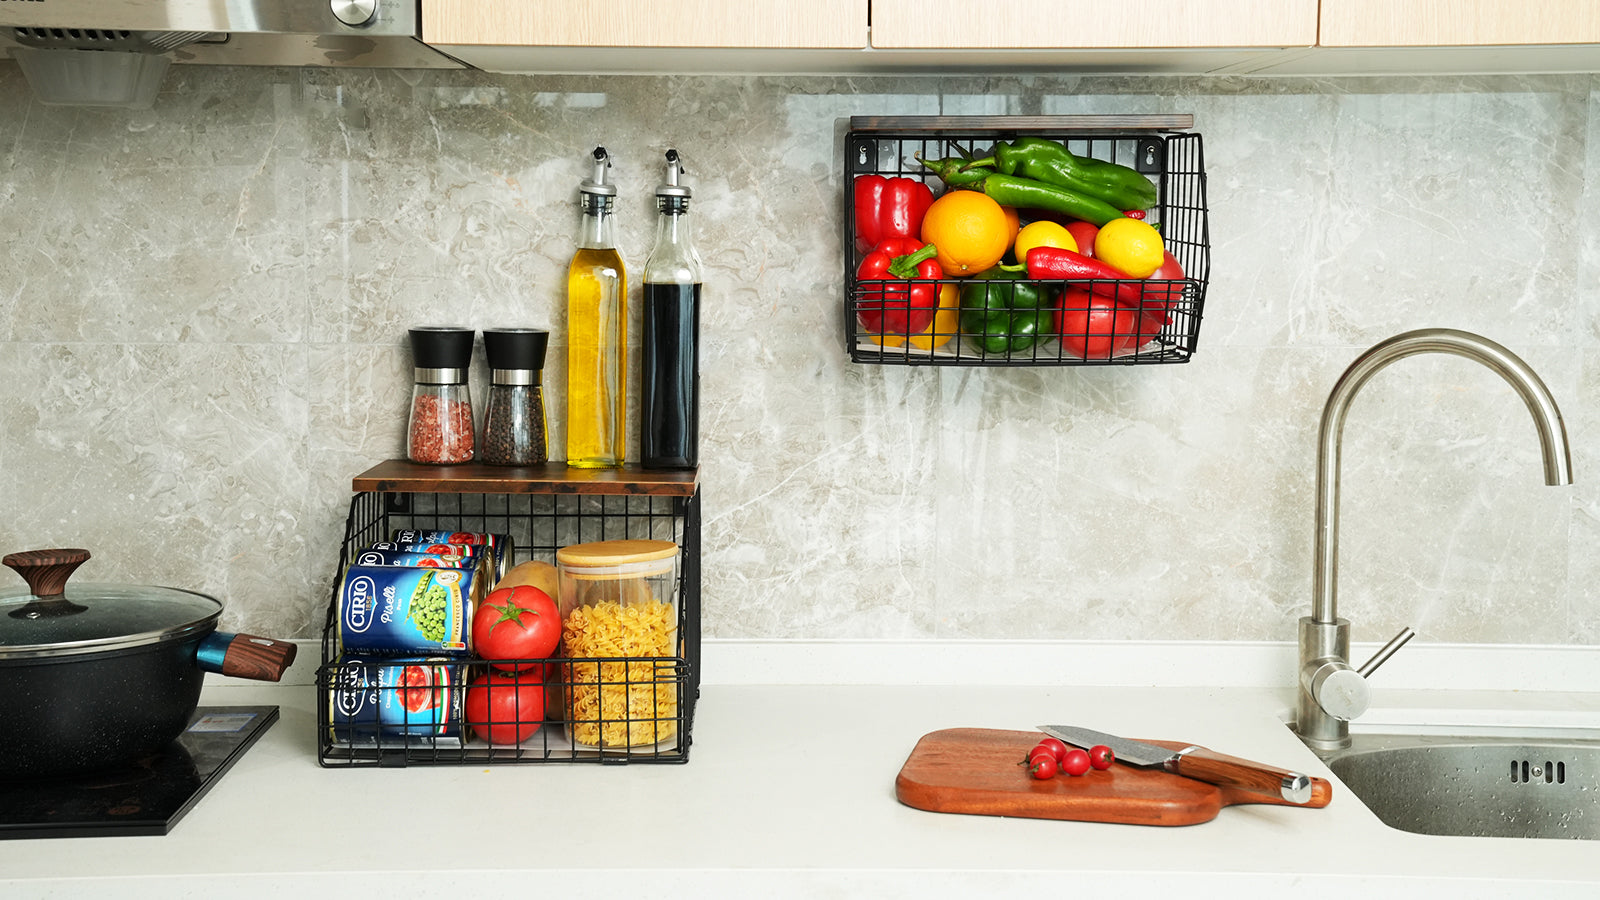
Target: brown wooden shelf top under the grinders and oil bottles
(402, 476)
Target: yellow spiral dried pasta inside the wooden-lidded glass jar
(622, 704)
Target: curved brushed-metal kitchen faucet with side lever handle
(1330, 691)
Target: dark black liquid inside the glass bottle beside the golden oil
(670, 382)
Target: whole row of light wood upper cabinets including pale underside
(1281, 38)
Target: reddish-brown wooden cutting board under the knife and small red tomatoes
(977, 771)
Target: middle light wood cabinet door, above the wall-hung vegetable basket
(1092, 25)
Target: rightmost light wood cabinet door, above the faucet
(1458, 23)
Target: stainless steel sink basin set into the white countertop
(1489, 787)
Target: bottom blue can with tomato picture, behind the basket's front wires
(415, 697)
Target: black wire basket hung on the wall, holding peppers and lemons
(1158, 147)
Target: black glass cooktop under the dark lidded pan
(145, 798)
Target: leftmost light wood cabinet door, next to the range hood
(786, 25)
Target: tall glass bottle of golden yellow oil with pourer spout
(596, 331)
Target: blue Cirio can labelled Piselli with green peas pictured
(401, 611)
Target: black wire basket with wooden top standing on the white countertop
(607, 710)
